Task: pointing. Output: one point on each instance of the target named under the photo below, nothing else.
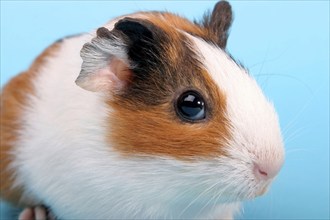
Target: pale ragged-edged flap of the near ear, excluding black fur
(105, 64)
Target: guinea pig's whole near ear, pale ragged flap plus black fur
(110, 59)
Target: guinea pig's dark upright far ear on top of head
(219, 22)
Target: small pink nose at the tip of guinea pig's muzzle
(266, 170)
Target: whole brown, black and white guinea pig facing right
(148, 117)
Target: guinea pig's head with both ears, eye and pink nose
(176, 96)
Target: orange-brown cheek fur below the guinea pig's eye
(158, 132)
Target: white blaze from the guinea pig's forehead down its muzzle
(256, 135)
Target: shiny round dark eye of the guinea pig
(191, 106)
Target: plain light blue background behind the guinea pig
(285, 45)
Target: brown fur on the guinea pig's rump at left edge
(13, 102)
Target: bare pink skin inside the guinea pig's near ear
(114, 77)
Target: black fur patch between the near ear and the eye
(156, 77)
